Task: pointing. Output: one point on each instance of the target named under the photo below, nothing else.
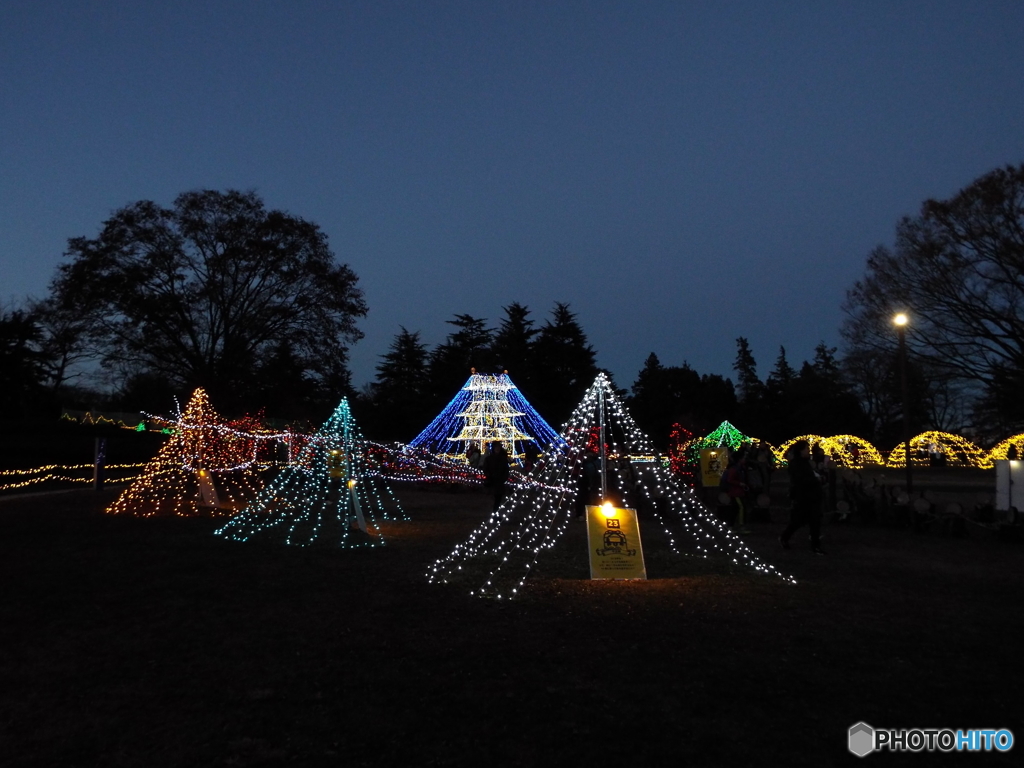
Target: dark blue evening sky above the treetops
(682, 174)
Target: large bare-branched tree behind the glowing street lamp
(958, 270)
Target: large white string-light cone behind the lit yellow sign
(499, 556)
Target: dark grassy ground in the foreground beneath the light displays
(150, 643)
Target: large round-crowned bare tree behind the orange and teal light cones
(203, 293)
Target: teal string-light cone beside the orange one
(331, 494)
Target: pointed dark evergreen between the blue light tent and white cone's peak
(566, 364)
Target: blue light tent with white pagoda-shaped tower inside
(488, 409)
